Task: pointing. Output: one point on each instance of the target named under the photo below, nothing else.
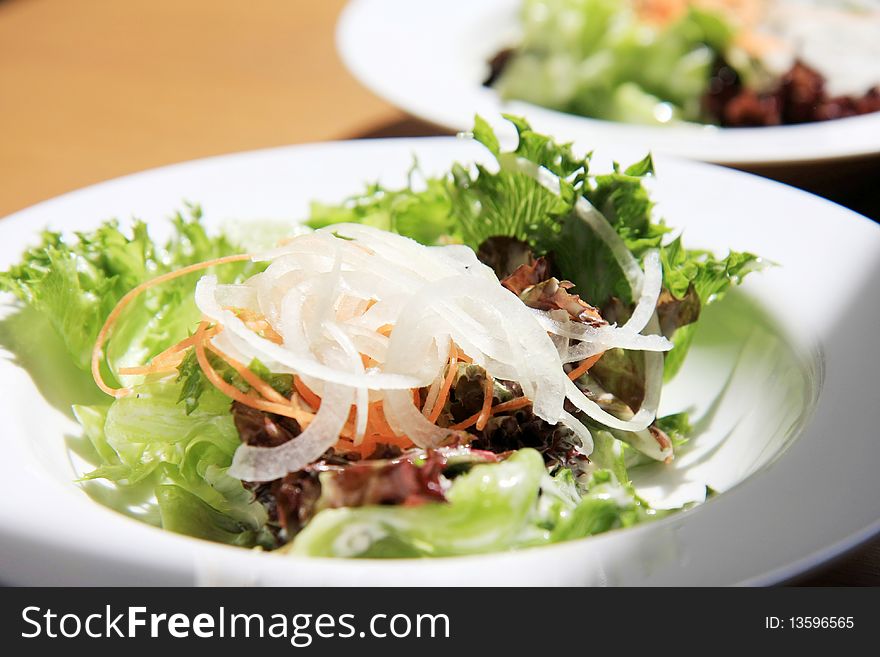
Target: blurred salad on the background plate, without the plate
(733, 63)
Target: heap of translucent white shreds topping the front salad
(365, 315)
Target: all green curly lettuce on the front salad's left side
(181, 451)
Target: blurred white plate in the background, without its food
(430, 58)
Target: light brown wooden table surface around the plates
(94, 89)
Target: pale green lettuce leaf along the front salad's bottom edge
(499, 506)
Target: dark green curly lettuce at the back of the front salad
(470, 205)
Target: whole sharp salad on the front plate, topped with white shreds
(469, 364)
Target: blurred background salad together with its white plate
(745, 82)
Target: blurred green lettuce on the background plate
(598, 58)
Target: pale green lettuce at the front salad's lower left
(149, 436)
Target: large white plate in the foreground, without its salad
(754, 377)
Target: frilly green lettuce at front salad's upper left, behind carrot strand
(76, 283)
